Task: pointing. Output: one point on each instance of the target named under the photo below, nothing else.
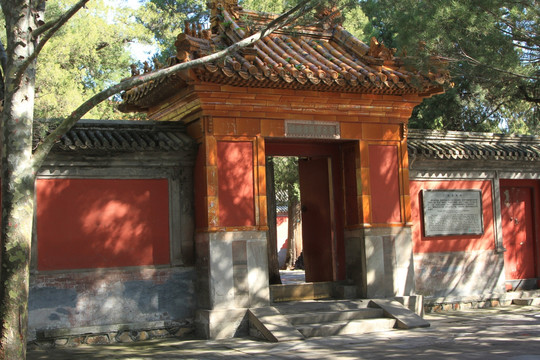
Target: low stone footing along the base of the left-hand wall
(110, 334)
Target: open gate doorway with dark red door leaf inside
(304, 208)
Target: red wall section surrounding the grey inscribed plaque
(423, 244)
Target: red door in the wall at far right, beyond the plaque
(518, 237)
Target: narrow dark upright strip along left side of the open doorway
(273, 262)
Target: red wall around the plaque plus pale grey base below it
(456, 265)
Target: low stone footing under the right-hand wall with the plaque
(454, 303)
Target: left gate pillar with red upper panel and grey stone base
(231, 248)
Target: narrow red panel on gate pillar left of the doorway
(235, 176)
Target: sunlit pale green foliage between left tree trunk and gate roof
(88, 54)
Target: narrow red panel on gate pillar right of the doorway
(384, 180)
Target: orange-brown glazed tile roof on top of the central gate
(324, 58)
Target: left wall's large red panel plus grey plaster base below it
(105, 229)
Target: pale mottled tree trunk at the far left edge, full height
(18, 178)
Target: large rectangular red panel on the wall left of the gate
(97, 223)
